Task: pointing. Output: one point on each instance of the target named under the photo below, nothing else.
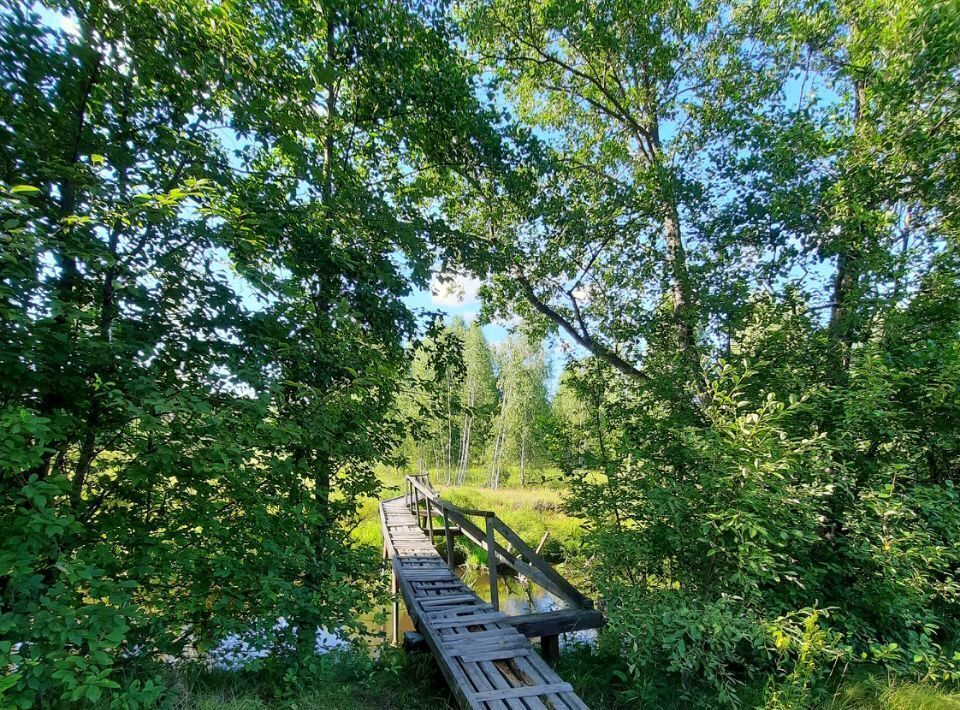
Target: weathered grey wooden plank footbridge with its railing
(484, 654)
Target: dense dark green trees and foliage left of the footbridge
(211, 213)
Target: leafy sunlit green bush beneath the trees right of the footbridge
(767, 546)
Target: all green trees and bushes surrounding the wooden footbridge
(739, 216)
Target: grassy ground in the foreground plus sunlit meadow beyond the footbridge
(396, 681)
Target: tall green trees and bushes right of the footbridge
(745, 213)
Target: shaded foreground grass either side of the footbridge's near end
(397, 681)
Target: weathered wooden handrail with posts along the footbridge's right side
(534, 567)
